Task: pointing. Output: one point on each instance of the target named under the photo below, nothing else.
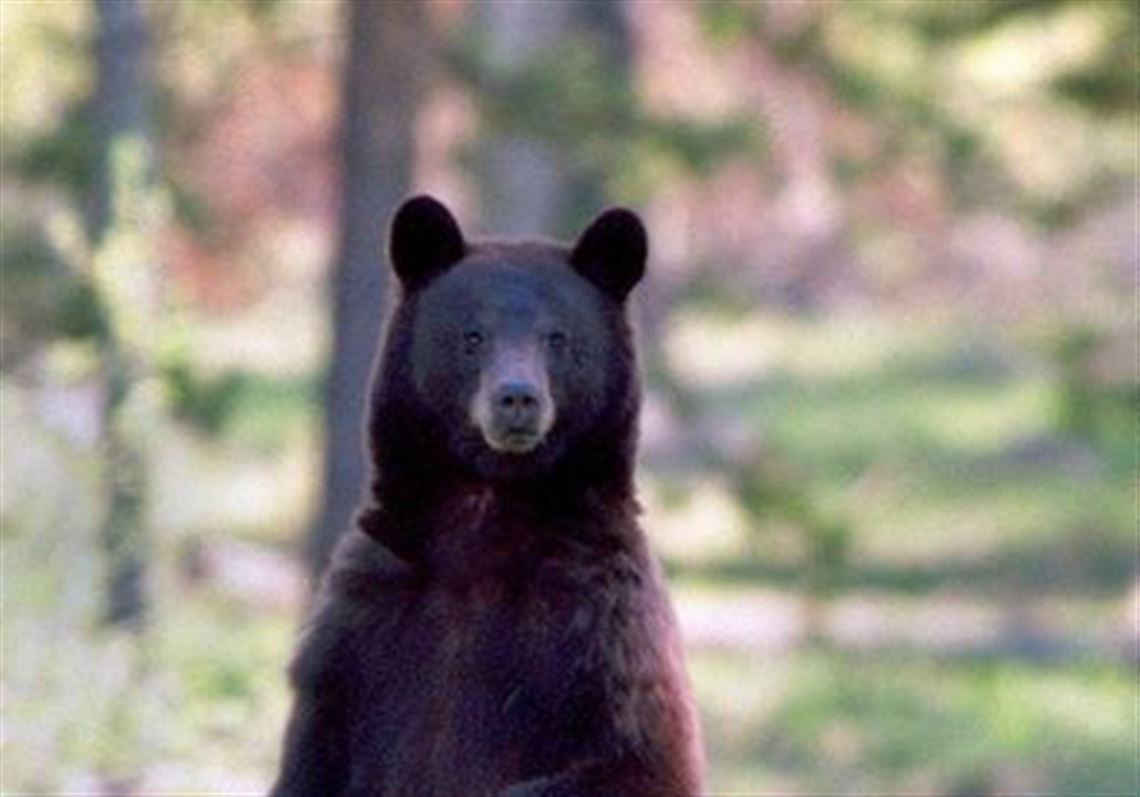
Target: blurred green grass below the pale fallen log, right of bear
(821, 721)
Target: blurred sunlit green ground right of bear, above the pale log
(924, 458)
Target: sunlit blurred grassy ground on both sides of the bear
(974, 640)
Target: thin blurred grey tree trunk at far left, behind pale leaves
(123, 218)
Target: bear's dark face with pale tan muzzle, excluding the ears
(510, 355)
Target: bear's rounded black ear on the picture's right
(612, 253)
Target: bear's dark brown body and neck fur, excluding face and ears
(486, 637)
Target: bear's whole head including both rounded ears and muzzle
(507, 360)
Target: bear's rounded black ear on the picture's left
(425, 241)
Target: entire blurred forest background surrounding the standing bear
(890, 341)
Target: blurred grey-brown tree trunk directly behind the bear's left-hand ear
(382, 91)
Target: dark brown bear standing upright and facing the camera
(495, 625)
